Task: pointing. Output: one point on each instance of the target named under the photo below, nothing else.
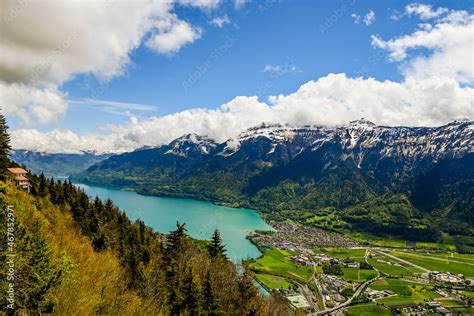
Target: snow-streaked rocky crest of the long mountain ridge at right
(361, 139)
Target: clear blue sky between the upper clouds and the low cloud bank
(263, 48)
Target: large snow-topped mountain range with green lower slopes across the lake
(373, 178)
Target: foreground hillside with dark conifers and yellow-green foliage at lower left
(74, 255)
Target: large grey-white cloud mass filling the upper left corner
(46, 43)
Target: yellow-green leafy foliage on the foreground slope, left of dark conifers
(91, 282)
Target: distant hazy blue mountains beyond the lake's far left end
(56, 165)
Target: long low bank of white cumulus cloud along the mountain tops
(331, 100)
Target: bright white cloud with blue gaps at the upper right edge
(449, 43)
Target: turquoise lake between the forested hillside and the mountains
(201, 218)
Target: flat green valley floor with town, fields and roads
(322, 272)
